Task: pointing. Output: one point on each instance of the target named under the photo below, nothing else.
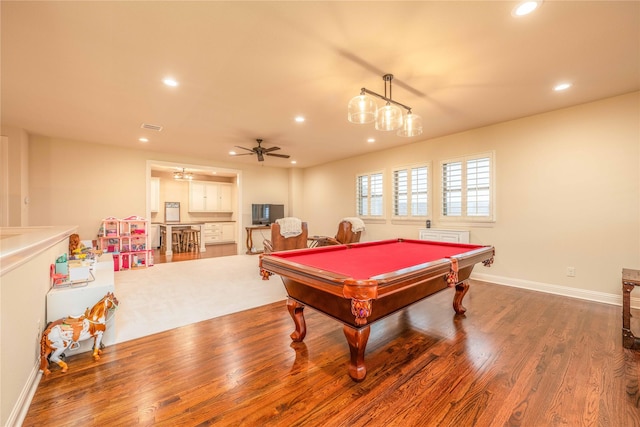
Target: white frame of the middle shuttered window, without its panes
(410, 192)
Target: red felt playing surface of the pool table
(366, 260)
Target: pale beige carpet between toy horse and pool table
(170, 295)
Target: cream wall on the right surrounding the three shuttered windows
(567, 191)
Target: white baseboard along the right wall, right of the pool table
(614, 299)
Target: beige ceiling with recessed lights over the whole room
(93, 71)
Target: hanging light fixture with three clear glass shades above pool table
(363, 109)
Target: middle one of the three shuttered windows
(410, 188)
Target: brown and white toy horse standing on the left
(69, 331)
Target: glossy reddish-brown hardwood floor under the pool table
(518, 358)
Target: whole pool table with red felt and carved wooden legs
(360, 283)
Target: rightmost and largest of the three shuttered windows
(467, 191)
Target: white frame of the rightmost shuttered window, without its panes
(465, 216)
